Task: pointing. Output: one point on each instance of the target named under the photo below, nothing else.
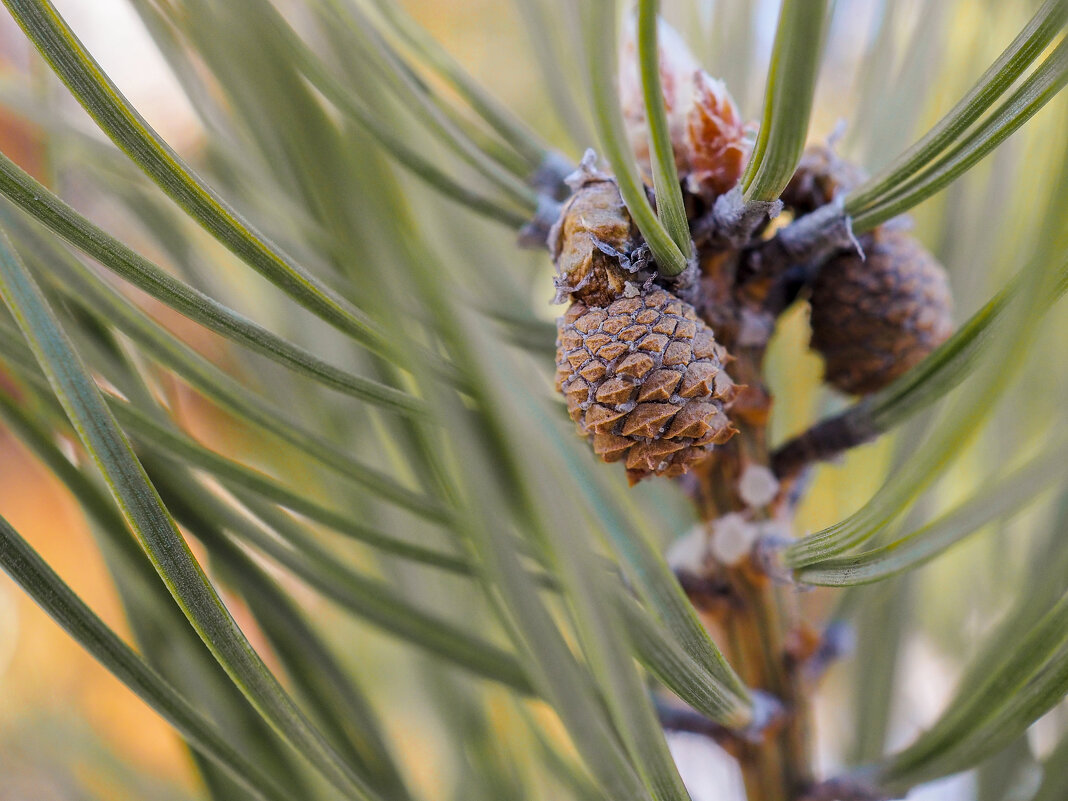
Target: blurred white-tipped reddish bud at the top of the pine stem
(711, 142)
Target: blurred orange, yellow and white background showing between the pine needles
(69, 731)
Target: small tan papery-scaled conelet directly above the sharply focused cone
(592, 242)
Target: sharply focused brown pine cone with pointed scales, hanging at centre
(645, 382)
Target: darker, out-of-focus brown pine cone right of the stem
(875, 319)
